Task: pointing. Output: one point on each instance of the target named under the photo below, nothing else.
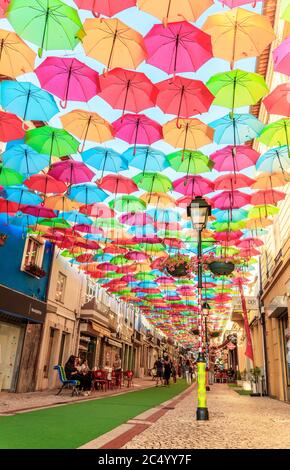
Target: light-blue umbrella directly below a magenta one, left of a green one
(146, 158)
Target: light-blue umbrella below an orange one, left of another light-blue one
(104, 159)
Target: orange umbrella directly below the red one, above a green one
(187, 133)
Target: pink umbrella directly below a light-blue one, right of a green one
(235, 159)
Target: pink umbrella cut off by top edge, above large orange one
(105, 7)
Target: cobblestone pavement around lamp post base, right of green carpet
(235, 421)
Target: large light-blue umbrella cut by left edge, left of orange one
(27, 101)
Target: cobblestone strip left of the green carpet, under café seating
(12, 402)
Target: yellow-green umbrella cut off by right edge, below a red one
(276, 134)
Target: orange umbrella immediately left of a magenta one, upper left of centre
(87, 126)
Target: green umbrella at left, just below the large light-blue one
(51, 141)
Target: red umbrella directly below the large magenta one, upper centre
(183, 97)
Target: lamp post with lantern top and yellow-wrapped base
(198, 211)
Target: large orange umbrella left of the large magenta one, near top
(113, 43)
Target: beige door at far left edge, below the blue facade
(10, 347)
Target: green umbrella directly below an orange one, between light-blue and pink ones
(189, 162)
